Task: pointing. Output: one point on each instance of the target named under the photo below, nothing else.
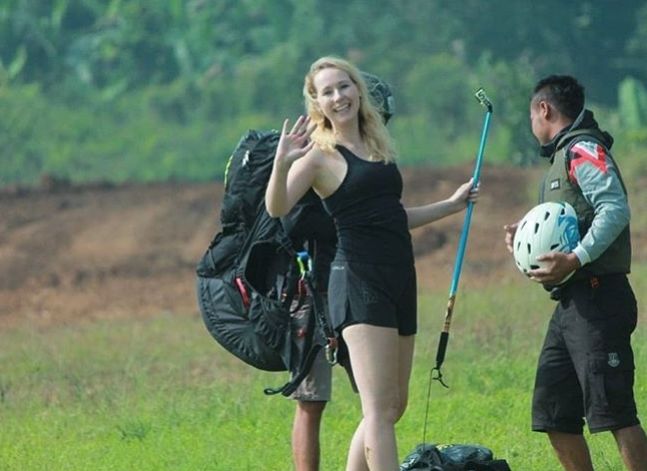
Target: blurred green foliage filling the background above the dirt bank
(125, 90)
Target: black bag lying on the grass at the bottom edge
(455, 457)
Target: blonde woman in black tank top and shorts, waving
(343, 151)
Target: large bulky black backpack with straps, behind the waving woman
(248, 280)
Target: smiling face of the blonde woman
(337, 95)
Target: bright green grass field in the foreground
(158, 394)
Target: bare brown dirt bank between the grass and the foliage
(69, 252)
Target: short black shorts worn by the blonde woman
(375, 294)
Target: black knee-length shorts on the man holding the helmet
(586, 366)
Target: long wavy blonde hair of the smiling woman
(371, 123)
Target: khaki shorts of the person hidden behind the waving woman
(317, 385)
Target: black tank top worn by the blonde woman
(370, 219)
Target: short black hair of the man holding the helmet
(563, 92)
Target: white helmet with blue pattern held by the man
(548, 227)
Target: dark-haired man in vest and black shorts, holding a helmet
(586, 366)
